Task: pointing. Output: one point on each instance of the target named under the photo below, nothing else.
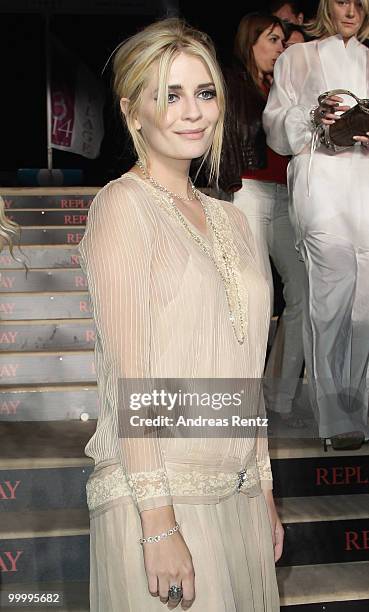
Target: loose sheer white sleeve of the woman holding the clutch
(287, 123)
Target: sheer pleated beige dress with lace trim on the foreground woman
(161, 310)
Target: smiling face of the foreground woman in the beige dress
(187, 130)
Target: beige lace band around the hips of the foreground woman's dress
(153, 484)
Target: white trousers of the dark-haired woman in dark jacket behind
(265, 205)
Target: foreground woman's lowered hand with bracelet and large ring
(169, 561)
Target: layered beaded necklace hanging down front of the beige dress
(223, 254)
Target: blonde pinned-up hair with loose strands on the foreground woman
(162, 42)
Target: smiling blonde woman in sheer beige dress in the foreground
(176, 294)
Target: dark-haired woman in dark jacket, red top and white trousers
(257, 177)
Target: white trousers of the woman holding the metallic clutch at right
(332, 233)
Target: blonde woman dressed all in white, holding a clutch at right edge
(329, 210)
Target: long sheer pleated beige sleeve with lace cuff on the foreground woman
(116, 255)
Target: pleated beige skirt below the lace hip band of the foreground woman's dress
(231, 547)
